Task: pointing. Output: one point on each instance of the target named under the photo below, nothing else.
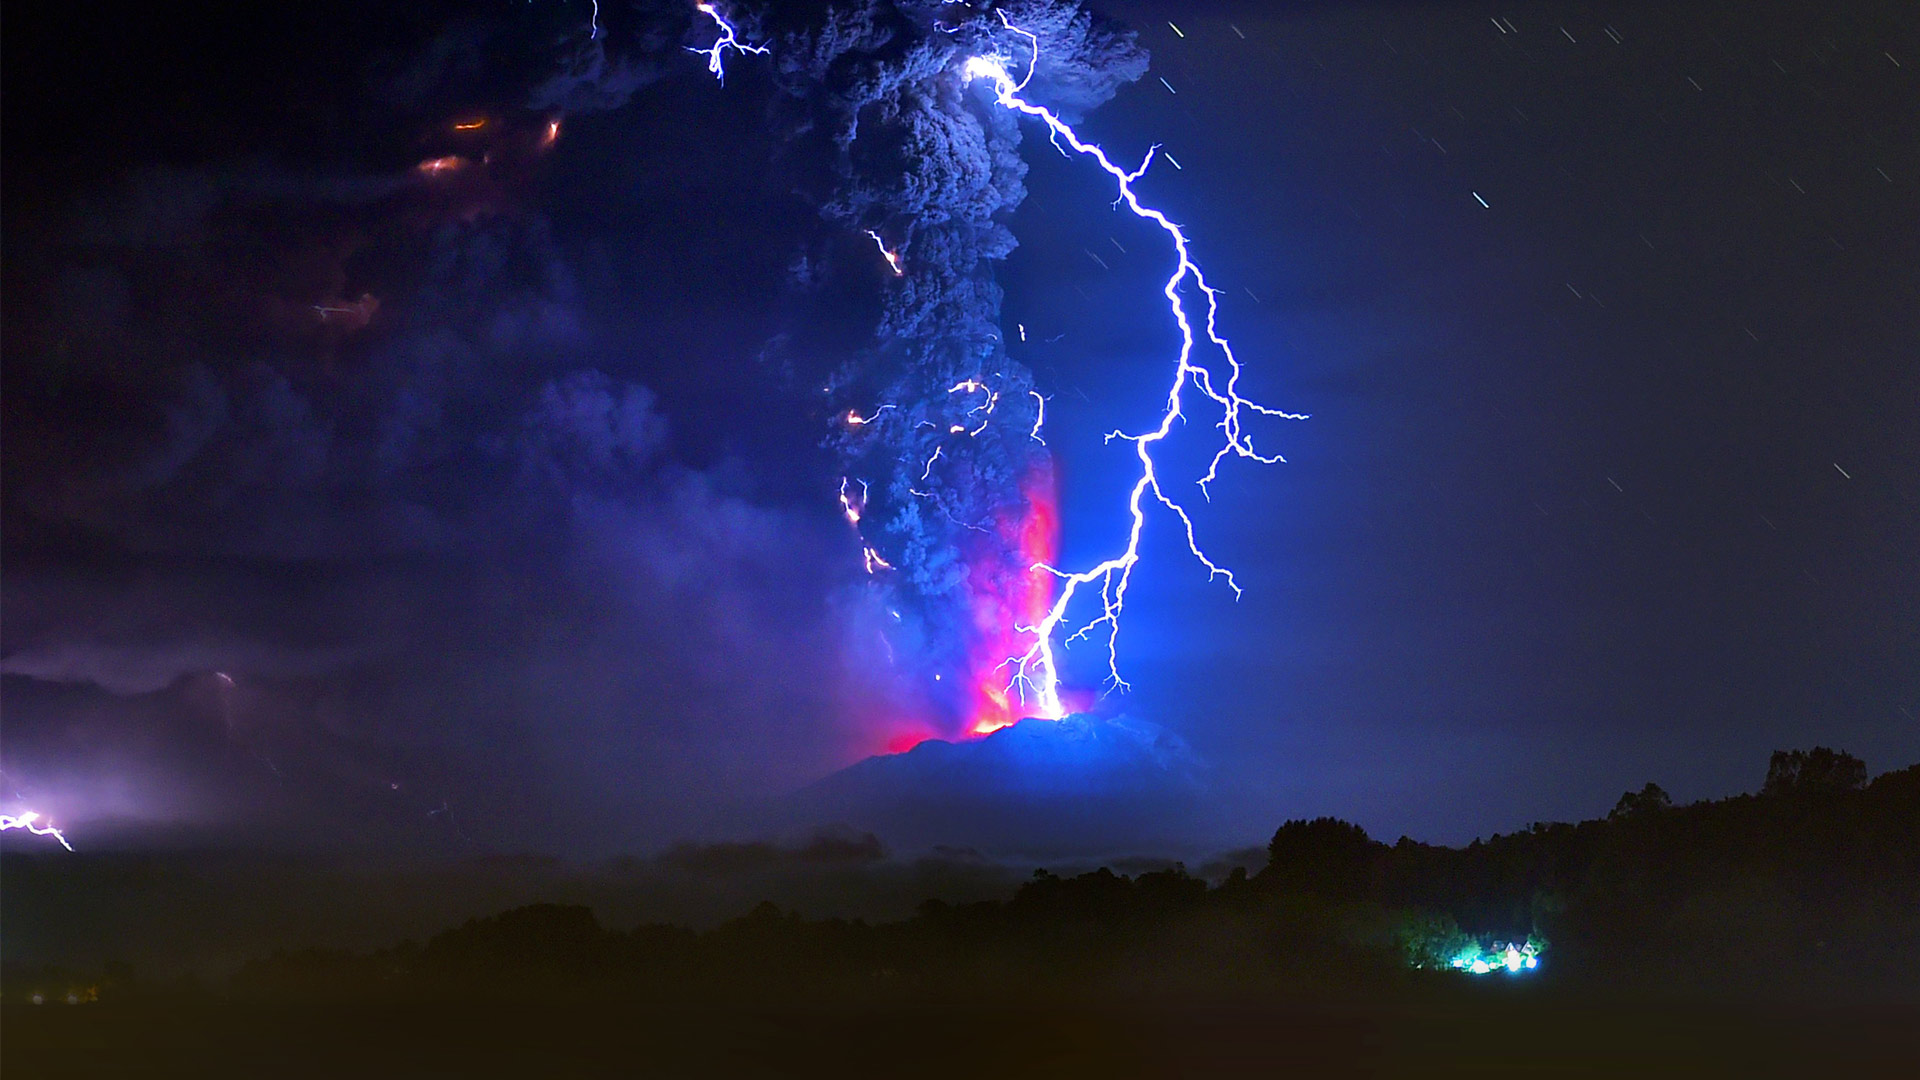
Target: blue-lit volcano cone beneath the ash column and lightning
(1074, 787)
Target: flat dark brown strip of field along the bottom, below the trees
(1485, 1031)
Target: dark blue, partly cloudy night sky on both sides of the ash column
(356, 504)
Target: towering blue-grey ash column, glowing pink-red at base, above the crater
(949, 481)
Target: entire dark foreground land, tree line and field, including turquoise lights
(1773, 935)
